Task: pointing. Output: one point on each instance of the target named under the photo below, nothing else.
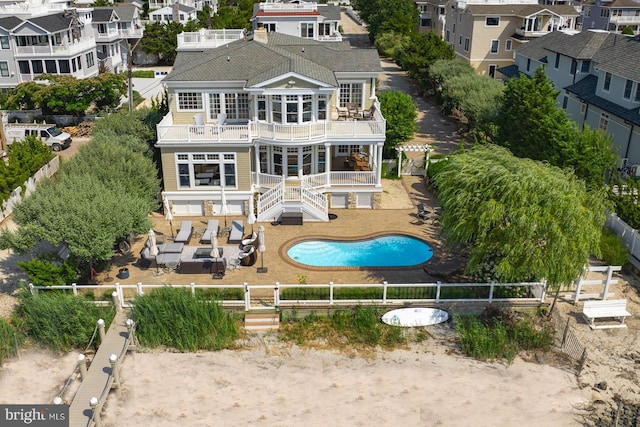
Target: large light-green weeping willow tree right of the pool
(533, 220)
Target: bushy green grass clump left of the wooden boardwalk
(60, 321)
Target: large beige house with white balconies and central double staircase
(265, 119)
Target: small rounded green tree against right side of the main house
(400, 112)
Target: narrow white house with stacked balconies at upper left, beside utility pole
(114, 29)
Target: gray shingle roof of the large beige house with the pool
(255, 62)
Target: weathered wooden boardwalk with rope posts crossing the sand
(99, 380)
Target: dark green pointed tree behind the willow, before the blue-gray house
(529, 121)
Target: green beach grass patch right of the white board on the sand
(501, 335)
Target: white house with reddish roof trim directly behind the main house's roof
(308, 20)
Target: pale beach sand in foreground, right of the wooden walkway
(275, 384)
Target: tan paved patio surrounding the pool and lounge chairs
(349, 224)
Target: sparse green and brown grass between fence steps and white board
(359, 328)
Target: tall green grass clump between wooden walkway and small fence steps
(173, 317)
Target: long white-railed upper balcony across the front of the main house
(354, 125)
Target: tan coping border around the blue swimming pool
(282, 251)
